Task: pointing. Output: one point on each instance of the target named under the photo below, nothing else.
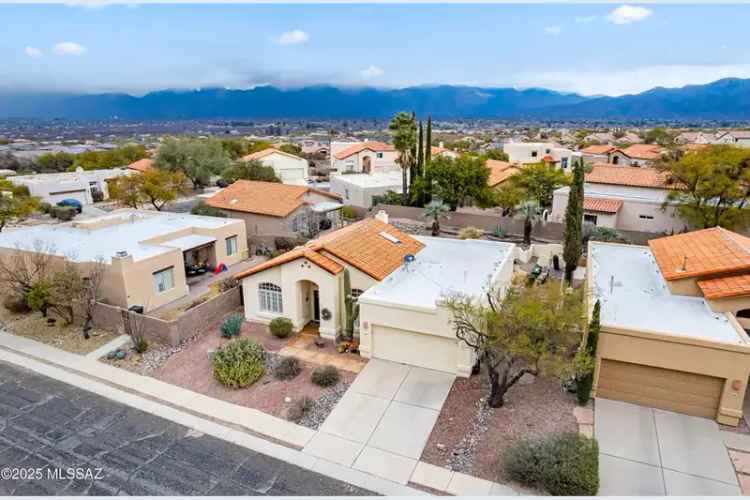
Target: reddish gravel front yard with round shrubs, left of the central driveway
(189, 366)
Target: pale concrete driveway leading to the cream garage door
(382, 423)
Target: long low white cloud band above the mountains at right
(630, 81)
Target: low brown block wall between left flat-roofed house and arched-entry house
(192, 321)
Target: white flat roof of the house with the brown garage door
(634, 295)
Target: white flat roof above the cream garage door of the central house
(443, 267)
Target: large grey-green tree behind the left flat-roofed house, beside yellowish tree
(197, 159)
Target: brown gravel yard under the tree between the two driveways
(471, 438)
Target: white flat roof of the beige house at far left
(130, 228)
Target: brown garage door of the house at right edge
(672, 390)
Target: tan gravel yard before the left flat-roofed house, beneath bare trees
(66, 337)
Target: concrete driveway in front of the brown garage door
(645, 451)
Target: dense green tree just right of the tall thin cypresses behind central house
(455, 181)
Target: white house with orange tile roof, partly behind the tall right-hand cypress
(624, 198)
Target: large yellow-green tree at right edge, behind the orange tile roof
(711, 187)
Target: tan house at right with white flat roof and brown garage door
(672, 317)
